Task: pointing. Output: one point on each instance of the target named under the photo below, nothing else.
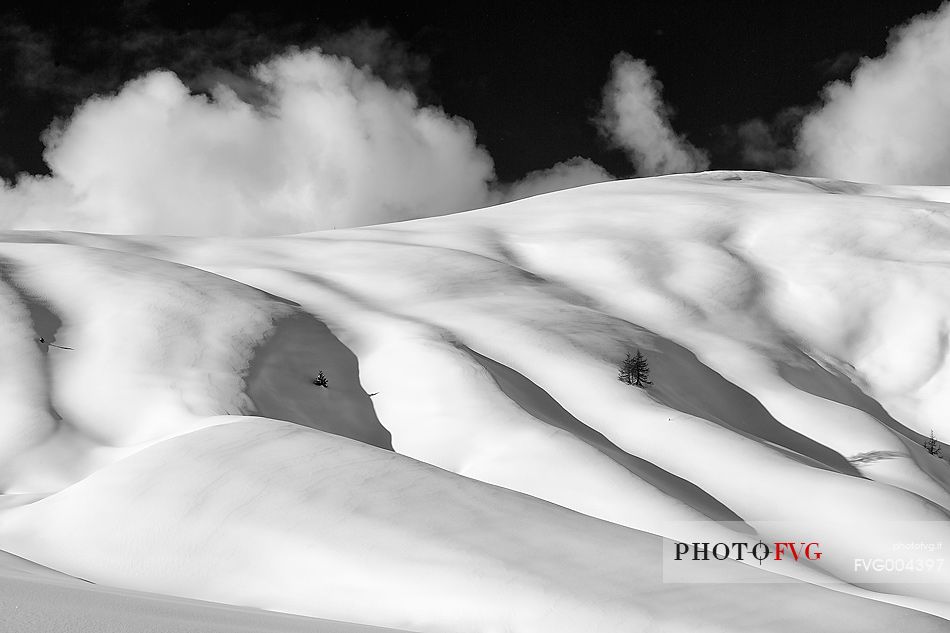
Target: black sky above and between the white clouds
(528, 76)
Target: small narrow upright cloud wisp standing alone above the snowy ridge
(635, 118)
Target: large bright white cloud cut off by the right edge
(890, 123)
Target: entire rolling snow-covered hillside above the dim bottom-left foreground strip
(797, 332)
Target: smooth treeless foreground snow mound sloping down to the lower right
(274, 515)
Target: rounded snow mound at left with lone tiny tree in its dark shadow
(106, 353)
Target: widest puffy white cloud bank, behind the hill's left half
(309, 141)
